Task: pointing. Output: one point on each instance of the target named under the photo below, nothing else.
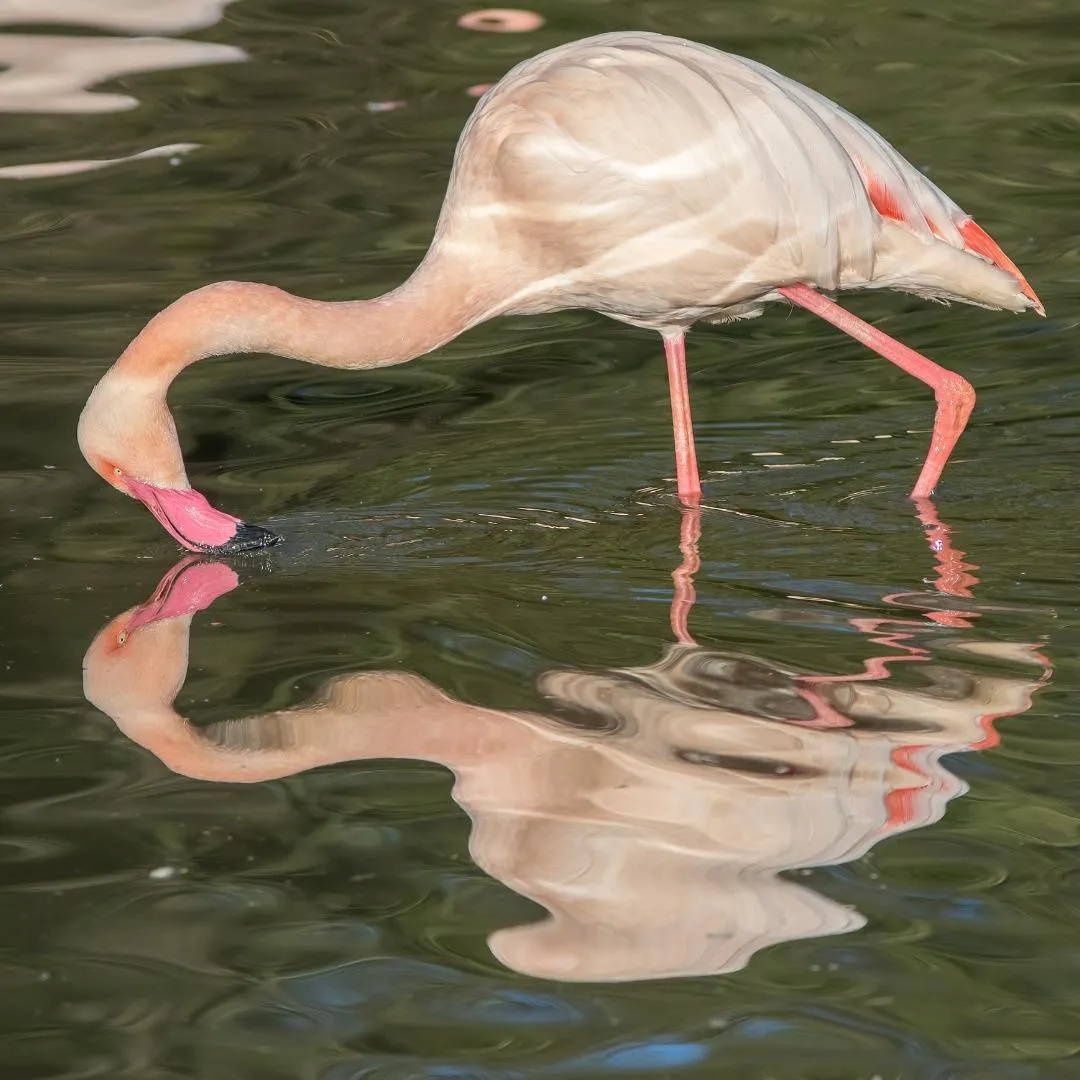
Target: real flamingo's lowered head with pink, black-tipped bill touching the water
(128, 437)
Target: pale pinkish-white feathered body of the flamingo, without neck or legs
(664, 182)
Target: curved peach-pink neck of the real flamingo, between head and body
(435, 306)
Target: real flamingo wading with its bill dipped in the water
(651, 179)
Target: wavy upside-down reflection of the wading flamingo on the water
(652, 821)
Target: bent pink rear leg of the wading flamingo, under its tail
(954, 394)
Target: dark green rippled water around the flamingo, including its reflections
(497, 821)
